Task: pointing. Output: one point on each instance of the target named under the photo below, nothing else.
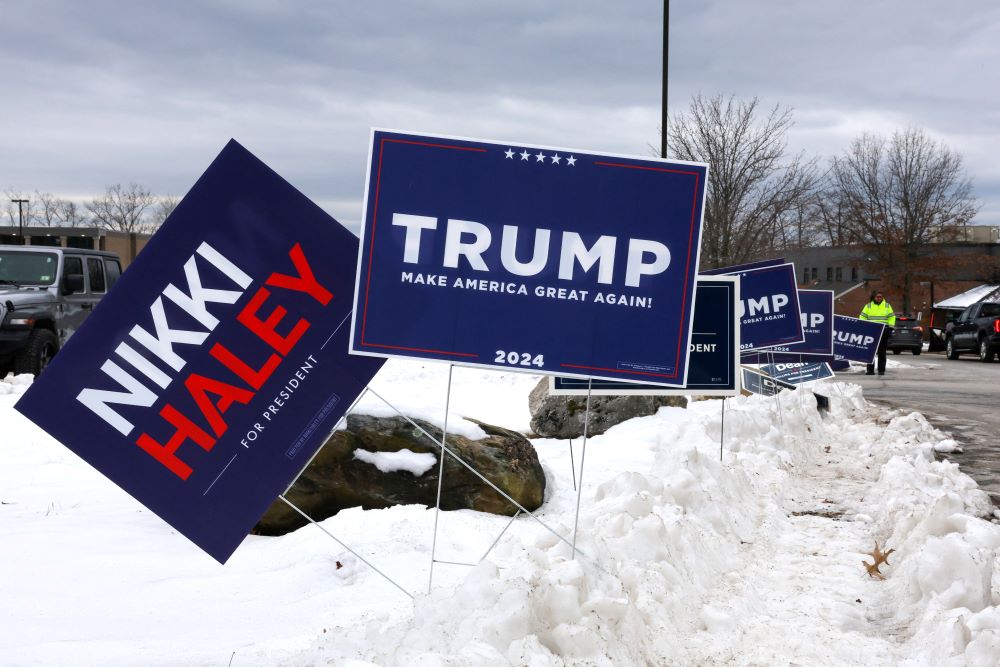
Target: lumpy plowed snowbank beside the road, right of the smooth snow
(661, 545)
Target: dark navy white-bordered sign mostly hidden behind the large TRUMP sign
(713, 358)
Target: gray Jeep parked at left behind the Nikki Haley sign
(45, 295)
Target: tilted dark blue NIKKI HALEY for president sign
(217, 366)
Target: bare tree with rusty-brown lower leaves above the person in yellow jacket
(896, 197)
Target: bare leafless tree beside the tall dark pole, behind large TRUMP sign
(754, 189)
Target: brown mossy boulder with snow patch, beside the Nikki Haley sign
(336, 479)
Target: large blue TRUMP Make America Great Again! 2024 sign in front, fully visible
(542, 259)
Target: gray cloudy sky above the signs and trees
(101, 92)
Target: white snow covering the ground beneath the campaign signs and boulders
(756, 559)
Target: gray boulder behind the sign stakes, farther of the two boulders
(562, 416)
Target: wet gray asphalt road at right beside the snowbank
(961, 398)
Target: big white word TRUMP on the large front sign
(470, 240)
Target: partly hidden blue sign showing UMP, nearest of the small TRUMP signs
(769, 314)
